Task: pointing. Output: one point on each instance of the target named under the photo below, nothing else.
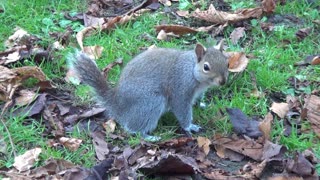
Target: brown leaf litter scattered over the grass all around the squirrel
(243, 155)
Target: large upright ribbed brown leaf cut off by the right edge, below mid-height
(312, 105)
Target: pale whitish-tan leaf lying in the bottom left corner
(26, 161)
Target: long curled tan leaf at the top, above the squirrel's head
(219, 17)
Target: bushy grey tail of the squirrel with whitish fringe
(89, 74)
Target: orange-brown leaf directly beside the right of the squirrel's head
(238, 61)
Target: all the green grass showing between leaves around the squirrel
(272, 65)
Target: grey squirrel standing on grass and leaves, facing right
(154, 82)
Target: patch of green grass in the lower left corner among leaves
(27, 134)
